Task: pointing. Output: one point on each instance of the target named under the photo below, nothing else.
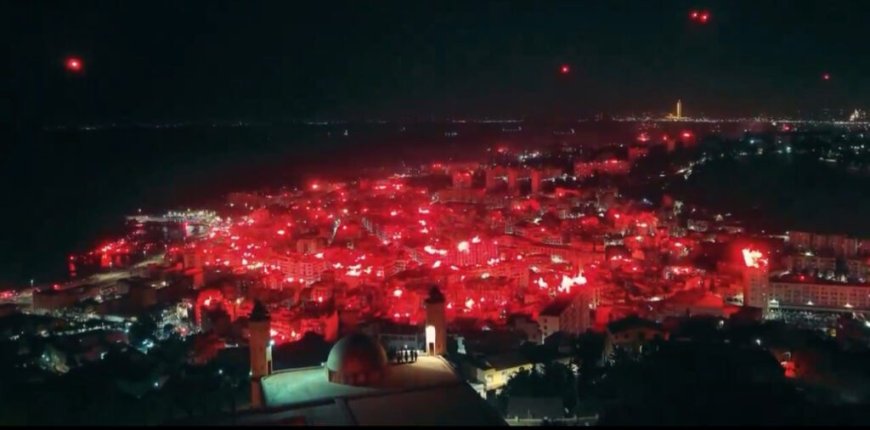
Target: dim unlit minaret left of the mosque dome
(260, 345)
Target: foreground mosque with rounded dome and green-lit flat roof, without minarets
(358, 386)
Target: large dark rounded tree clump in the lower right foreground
(698, 384)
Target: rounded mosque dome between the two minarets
(356, 359)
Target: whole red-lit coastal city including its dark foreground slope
(528, 276)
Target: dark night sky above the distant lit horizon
(147, 60)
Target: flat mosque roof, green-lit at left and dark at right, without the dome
(426, 392)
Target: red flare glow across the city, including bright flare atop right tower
(373, 250)
